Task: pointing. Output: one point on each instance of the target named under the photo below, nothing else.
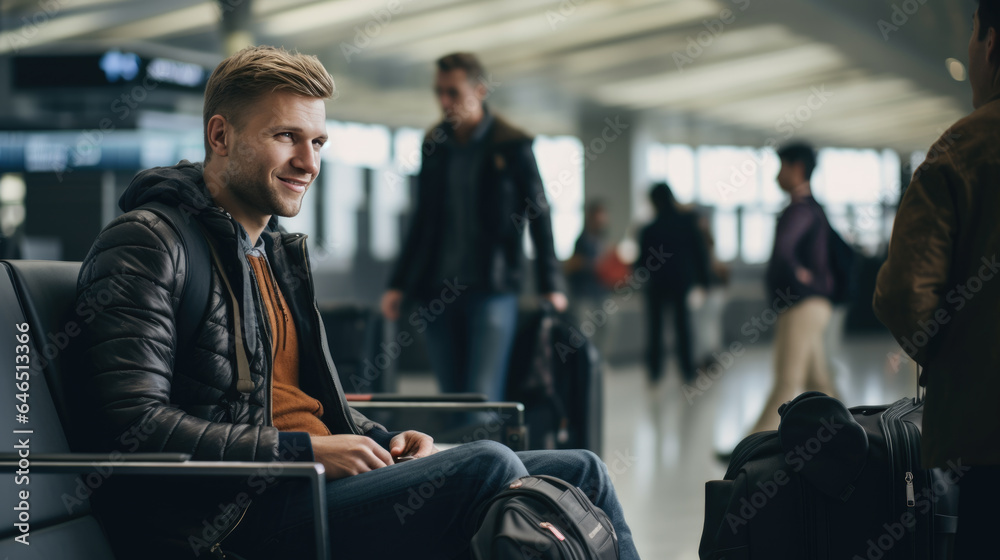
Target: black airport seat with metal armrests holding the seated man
(37, 416)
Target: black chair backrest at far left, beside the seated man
(41, 295)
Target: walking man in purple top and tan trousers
(799, 273)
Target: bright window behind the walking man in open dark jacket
(367, 171)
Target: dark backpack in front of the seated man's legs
(545, 518)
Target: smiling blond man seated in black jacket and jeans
(265, 122)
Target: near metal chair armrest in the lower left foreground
(176, 464)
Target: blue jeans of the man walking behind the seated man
(469, 343)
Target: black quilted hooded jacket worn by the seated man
(151, 396)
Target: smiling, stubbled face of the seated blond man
(274, 156)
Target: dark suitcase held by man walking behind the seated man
(556, 372)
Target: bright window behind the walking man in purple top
(737, 186)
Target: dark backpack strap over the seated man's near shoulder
(194, 296)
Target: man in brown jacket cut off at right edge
(939, 294)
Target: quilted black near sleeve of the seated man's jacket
(133, 278)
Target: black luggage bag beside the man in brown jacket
(833, 483)
